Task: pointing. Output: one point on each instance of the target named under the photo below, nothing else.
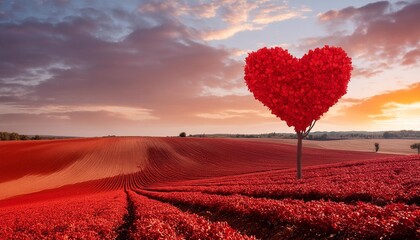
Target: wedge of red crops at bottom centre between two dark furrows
(157, 220)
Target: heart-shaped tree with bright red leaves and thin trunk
(298, 91)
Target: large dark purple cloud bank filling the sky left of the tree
(113, 58)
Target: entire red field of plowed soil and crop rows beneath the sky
(189, 188)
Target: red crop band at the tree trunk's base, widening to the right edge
(379, 182)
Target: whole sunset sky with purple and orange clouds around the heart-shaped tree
(93, 68)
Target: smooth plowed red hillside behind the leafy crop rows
(114, 163)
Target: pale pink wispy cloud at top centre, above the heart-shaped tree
(230, 16)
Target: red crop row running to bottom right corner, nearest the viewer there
(314, 219)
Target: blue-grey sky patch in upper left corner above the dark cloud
(54, 12)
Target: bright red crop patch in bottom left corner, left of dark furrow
(86, 217)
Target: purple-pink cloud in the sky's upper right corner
(383, 32)
